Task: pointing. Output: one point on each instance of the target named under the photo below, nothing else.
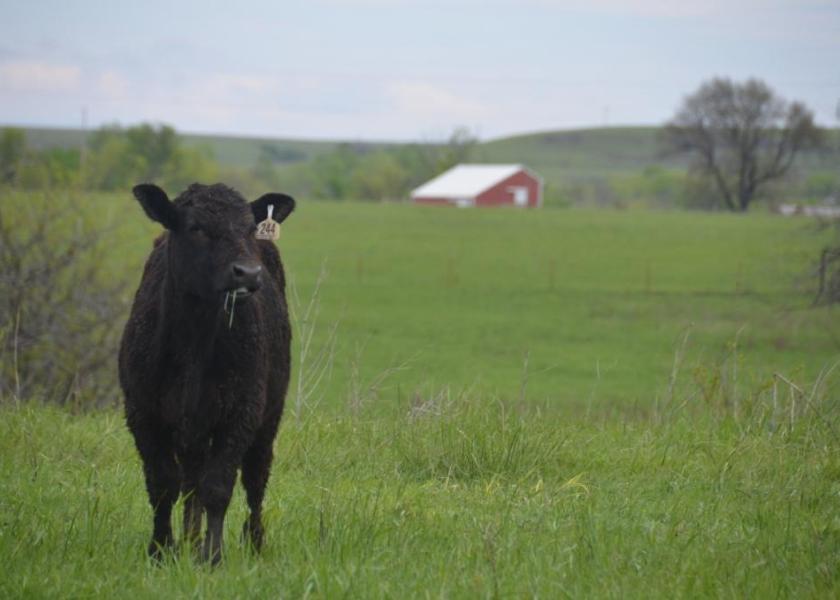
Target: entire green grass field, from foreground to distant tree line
(558, 403)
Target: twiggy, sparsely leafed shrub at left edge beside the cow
(59, 310)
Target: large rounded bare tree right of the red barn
(741, 136)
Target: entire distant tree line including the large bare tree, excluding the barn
(739, 140)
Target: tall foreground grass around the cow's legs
(466, 496)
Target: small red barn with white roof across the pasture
(483, 185)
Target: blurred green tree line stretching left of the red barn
(114, 158)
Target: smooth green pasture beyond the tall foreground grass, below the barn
(573, 310)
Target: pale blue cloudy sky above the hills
(402, 69)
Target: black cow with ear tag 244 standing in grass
(204, 360)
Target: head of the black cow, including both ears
(212, 249)
